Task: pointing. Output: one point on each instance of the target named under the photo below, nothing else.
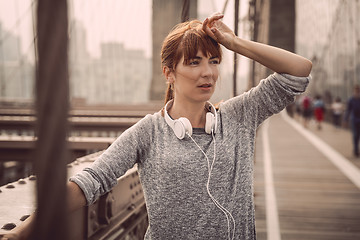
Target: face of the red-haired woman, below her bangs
(196, 81)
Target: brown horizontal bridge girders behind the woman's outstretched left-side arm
(93, 128)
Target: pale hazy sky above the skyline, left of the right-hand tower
(115, 22)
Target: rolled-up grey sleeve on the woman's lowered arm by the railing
(127, 150)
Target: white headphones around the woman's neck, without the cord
(182, 126)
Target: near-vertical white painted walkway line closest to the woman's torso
(272, 217)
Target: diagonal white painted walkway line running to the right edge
(343, 164)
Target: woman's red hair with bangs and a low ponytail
(185, 39)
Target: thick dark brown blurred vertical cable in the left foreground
(52, 103)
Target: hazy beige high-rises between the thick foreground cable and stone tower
(118, 76)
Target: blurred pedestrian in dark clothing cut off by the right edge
(353, 117)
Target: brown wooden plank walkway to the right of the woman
(314, 199)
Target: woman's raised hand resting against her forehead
(218, 30)
